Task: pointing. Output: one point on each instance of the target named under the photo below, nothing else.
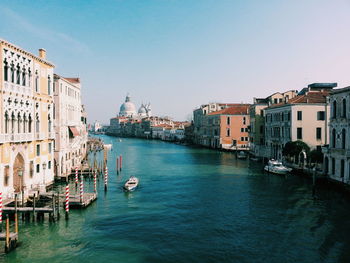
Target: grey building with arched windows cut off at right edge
(337, 153)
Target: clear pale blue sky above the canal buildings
(179, 54)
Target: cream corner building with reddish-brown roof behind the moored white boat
(304, 117)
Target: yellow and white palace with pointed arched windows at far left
(26, 116)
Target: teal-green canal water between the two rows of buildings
(194, 205)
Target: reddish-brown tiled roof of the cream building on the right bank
(312, 97)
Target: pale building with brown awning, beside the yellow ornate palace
(70, 125)
